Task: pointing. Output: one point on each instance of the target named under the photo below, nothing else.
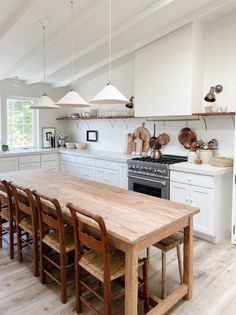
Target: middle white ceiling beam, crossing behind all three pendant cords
(131, 22)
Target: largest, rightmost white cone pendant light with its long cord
(109, 94)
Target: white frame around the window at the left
(35, 122)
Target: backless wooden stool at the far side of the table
(165, 245)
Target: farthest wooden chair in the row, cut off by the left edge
(7, 217)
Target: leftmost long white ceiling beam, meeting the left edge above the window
(54, 38)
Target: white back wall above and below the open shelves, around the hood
(219, 68)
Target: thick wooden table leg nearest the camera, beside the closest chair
(131, 281)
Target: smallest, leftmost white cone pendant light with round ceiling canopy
(44, 102)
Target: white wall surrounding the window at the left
(46, 118)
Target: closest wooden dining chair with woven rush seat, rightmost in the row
(102, 262)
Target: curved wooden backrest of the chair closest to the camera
(93, 240)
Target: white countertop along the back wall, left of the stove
(109, 155)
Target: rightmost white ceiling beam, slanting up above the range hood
(164, 31)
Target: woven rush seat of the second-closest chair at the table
(52, 240)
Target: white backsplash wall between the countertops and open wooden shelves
(114, 138)
